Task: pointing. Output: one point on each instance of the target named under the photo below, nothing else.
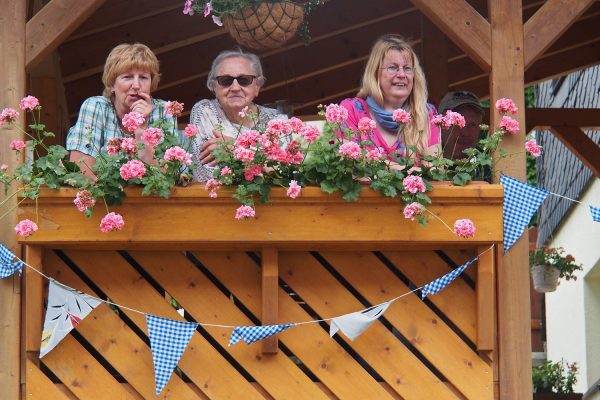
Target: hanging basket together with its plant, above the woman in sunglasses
(257, 24)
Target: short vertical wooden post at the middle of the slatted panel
(270, 293)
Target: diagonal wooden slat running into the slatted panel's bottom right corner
(413, 319)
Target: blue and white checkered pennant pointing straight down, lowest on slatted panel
(168, 340)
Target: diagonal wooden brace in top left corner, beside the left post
(54, 23)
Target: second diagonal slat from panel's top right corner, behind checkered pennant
(457, 301)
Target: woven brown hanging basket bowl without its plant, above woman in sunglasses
(266, 25)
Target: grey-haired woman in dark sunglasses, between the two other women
(235, 78)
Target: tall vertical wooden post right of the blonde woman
(514, 314)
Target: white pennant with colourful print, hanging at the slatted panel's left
(67, 307)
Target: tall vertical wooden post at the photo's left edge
(12, 88)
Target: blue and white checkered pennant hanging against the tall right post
(521, 201)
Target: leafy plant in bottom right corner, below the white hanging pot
(553, 381)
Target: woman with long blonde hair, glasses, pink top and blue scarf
(393, 79)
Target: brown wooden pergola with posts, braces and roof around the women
(493, 48)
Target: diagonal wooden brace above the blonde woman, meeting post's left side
(463, 24)
